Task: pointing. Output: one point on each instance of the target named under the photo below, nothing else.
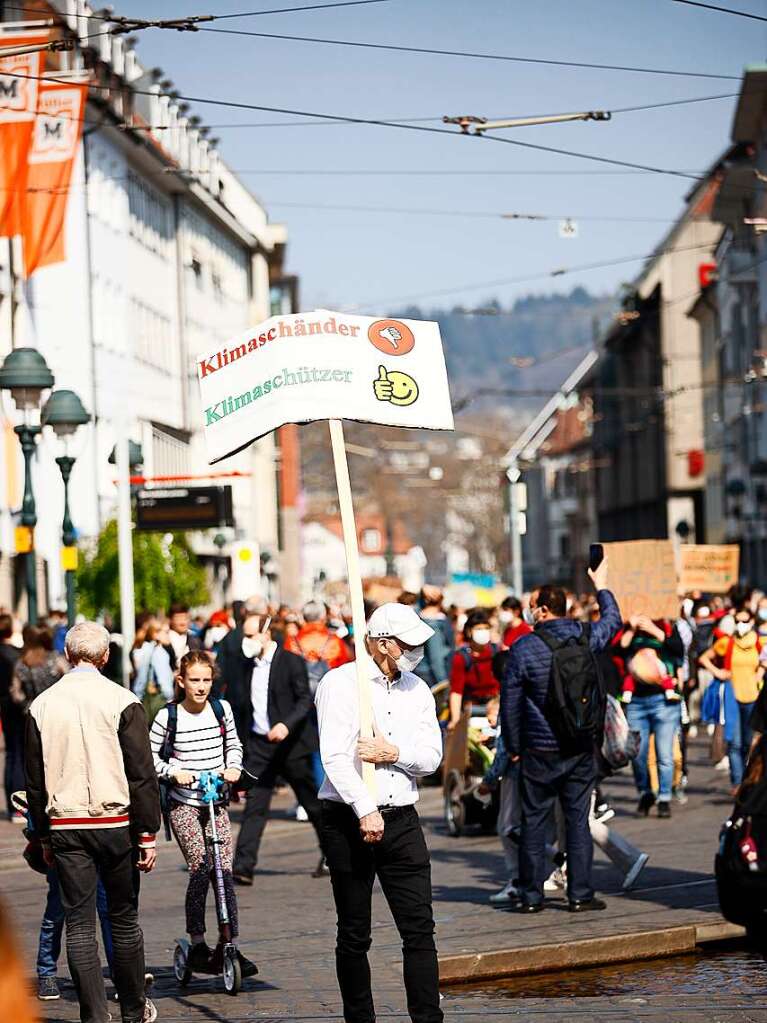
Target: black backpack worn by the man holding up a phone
(575, 702)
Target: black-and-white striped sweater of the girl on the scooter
(199, 746)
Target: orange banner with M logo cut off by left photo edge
(19, 96)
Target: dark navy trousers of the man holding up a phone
(547, 777)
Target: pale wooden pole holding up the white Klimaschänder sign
(355, 591)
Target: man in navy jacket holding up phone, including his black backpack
(553, 717)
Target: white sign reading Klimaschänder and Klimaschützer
(323, 366)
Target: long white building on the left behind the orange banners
(168, 256)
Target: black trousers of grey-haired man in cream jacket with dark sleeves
(82, 857)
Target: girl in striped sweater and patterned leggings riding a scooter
(194, 735)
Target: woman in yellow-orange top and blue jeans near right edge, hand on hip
(735, 661)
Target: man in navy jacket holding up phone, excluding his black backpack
(548, 772)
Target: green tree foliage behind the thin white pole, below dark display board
(165, 571)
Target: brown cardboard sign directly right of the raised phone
(643, 576)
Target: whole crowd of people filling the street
(252, 692)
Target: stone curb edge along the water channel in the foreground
(588, 952)
